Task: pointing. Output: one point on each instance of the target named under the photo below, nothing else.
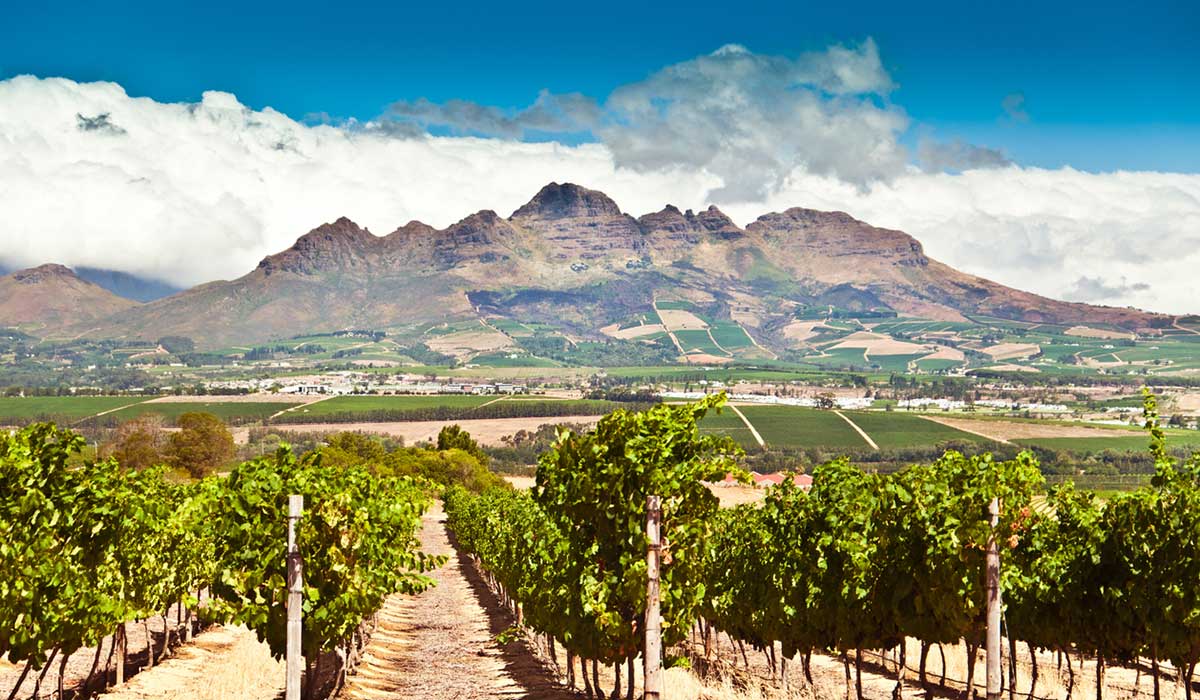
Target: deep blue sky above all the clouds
(1107, 86)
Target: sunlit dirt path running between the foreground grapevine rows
(442, 645)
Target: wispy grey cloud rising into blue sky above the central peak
(749, 119)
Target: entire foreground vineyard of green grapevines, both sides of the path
(863, 567)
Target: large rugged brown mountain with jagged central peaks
(573, 261)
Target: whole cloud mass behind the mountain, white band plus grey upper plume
(190, 193)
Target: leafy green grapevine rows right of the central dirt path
(860, 563)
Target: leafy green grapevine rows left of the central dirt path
(85, 551)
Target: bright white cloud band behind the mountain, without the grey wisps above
(193, 193)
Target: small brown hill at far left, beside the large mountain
(49, 300)
